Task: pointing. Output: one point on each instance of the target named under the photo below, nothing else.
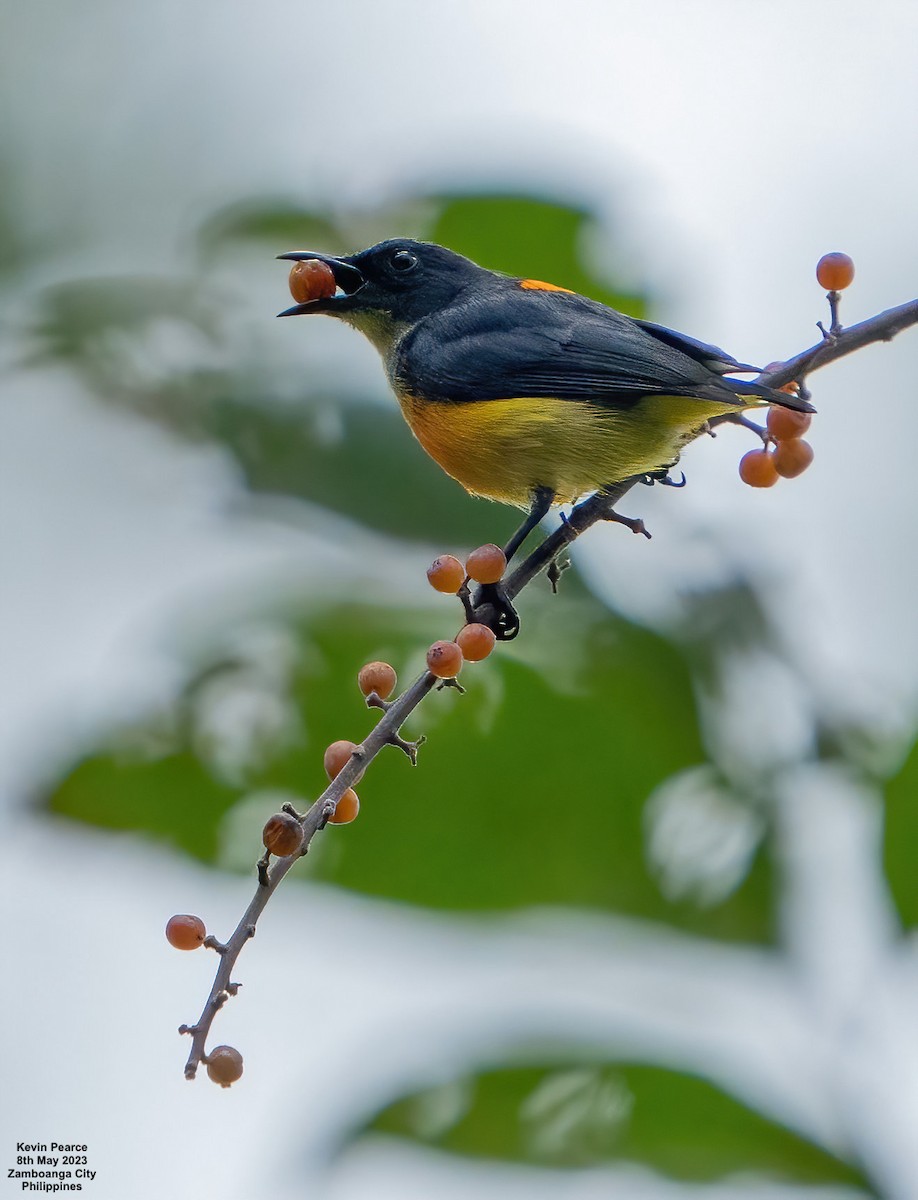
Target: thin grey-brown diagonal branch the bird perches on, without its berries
(601, 507)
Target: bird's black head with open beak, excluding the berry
(400, 280)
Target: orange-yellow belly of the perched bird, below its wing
(505, 449)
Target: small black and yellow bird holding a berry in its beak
(525, 392)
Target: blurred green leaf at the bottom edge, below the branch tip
(584, 1115)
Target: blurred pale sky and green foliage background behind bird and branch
(641, 922)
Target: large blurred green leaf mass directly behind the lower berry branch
(532, 793)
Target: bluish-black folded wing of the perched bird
(511, 343)
